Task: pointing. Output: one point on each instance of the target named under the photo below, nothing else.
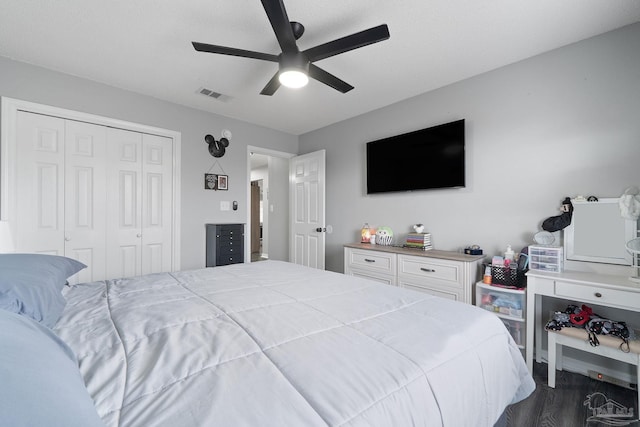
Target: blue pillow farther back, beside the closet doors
(31, 284)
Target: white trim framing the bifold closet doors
(9, 108)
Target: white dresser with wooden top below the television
(441, 273)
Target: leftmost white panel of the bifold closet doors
(39, 218)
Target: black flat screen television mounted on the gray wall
(424, 159)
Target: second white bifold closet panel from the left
(85, 198)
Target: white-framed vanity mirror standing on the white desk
(598, 233)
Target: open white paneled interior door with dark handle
(307, 209)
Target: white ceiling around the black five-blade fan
(145, 46)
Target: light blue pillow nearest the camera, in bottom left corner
(41, 383)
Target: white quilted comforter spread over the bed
(276, 344)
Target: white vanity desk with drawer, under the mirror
(581, 287)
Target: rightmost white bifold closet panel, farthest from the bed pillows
(157, 191)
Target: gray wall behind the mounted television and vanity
(563, 123)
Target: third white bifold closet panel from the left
(124, 201)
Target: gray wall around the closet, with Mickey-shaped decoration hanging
(199, 206)
